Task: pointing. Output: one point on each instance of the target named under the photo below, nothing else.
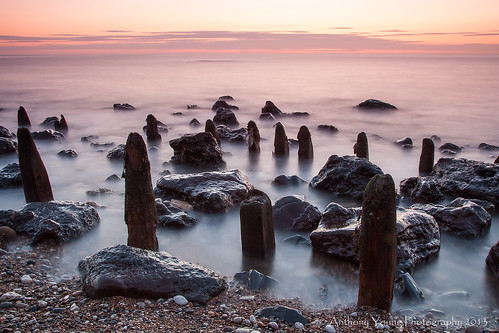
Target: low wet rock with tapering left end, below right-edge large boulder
(462, 218)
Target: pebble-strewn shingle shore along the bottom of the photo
(38, 297)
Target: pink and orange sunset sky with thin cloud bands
(30, 27)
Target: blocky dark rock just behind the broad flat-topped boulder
(200, 150)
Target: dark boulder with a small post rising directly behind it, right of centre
(345, 176)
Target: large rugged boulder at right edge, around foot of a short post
(455, 178)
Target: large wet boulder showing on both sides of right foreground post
(418, 235)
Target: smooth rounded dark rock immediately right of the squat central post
(293, 213)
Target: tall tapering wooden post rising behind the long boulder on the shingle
(140, 208)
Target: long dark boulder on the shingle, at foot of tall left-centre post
(132, 272)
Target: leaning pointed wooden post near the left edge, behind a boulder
(36, 183)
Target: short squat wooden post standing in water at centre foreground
(257, 225)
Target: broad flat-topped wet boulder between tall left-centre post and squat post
(216, 191)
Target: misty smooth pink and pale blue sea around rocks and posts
(452, 97)
